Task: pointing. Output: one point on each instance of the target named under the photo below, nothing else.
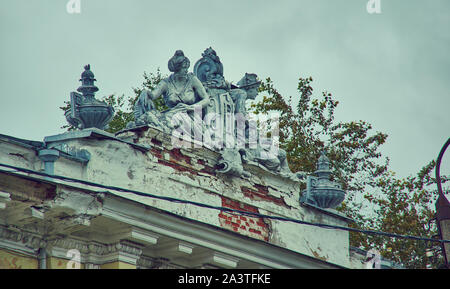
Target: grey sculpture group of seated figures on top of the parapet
(207, 92)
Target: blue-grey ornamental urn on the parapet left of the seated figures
(86, 111)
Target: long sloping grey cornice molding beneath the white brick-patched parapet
(207, 236)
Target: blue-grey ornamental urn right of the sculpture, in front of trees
(320, 191)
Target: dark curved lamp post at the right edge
(443, 209)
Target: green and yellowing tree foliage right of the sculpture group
(376, 199)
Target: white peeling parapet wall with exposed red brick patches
(189, 174)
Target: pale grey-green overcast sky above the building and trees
(390, 69)
